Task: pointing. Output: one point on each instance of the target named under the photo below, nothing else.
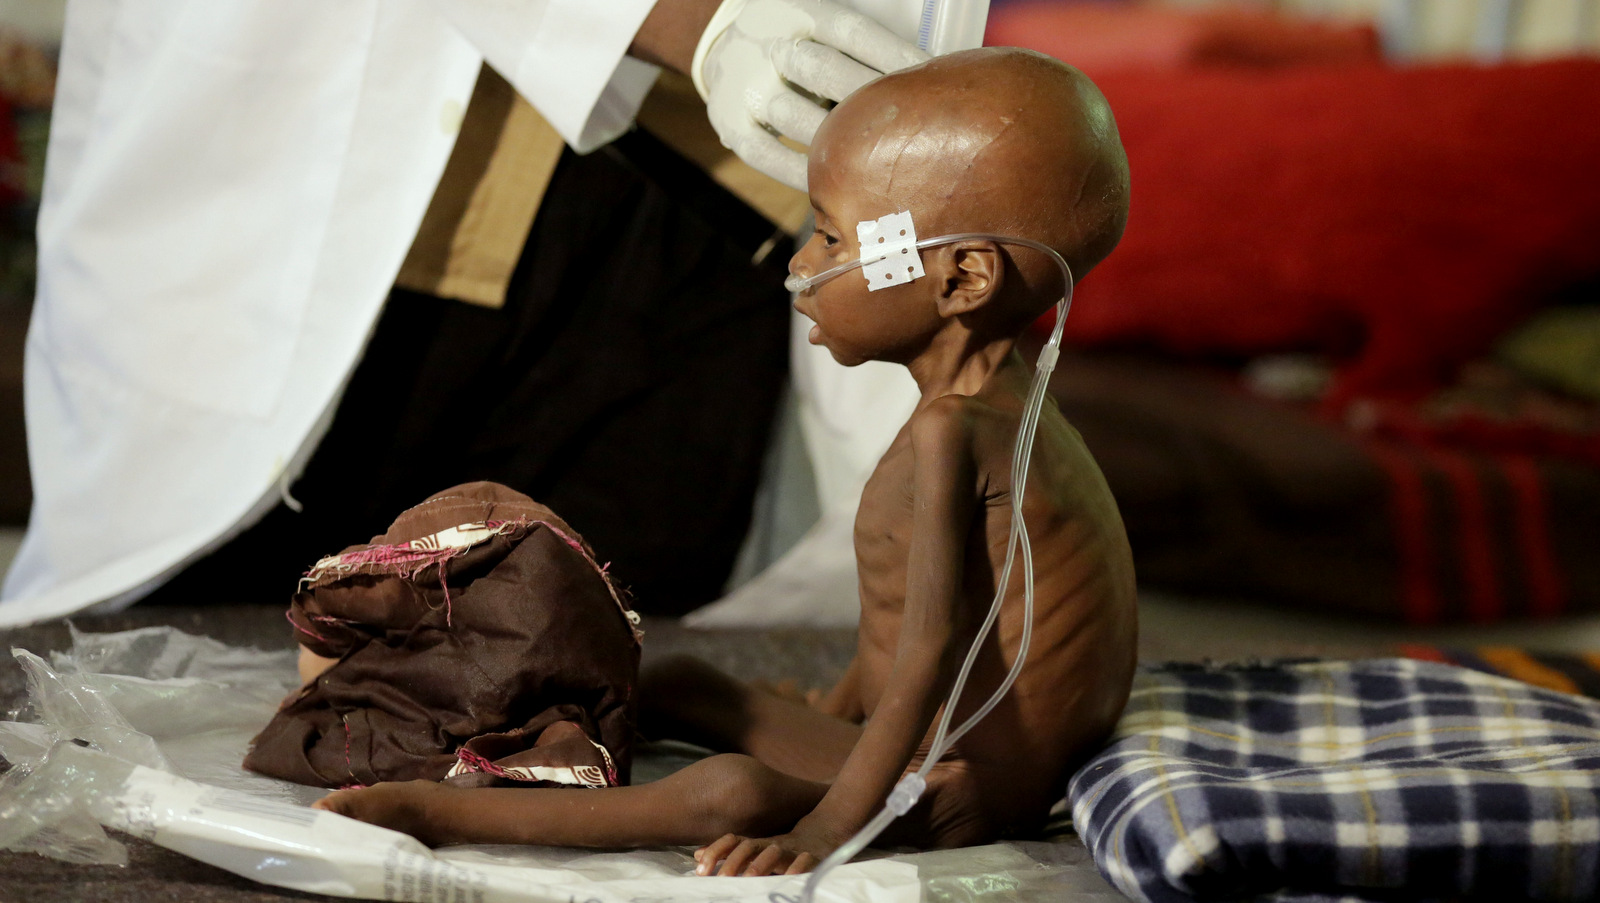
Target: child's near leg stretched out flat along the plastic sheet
(695, 806)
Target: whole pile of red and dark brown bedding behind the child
(1398, 223)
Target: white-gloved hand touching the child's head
(754, 50)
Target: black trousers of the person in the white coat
(630, 383)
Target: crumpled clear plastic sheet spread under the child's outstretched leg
(143, 732)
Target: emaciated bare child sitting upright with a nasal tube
(985, 142)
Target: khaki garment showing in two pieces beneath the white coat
(486, 203)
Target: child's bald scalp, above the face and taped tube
(993, 140)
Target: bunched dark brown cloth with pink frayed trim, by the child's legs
(476, 641)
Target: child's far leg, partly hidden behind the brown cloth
(686, 699)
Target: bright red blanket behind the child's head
(1399, 219)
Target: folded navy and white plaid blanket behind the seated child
(1367, 781)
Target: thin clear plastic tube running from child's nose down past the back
(911, 787)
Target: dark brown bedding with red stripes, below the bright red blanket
(1230, 494)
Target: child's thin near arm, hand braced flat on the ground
(926, 662)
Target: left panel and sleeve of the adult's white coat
(231, 190)
